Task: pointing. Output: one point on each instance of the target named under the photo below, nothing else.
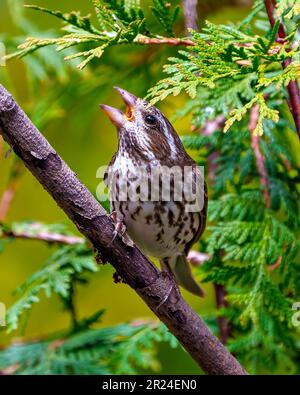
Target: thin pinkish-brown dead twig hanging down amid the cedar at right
(260, 160)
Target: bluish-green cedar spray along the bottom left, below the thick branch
(121, 349)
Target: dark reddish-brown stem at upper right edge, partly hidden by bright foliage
(293, 88)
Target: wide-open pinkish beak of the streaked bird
(116, 116)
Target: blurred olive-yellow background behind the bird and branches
(64, 104)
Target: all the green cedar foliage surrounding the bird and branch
(253, 244)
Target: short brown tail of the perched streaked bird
(180, 267)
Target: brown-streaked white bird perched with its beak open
(161, 229)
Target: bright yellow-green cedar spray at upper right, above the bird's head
(233, 69)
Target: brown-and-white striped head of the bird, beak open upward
(143, 130)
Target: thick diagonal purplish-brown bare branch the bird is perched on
(156, 288)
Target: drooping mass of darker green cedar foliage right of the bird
(254, 248)
